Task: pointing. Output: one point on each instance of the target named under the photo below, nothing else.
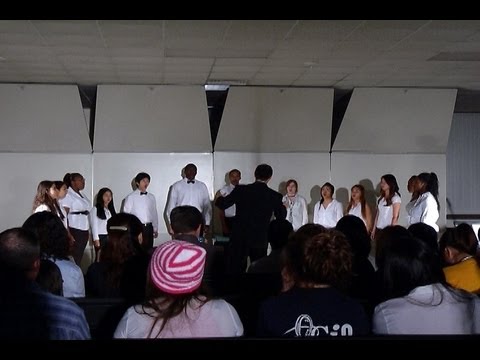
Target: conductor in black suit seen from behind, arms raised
(255, 203)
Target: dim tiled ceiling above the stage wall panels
(328, 53)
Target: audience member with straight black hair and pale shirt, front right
(420, 302)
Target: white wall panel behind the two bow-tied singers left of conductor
(117, 171)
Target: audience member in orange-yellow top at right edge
(458, 246)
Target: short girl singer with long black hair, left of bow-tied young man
(103, 210)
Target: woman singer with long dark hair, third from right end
(388, 209)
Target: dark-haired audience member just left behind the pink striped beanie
(122, 267)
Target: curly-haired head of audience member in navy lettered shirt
(321, 259)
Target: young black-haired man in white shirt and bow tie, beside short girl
(143, 205)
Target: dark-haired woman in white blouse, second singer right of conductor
(327, 211)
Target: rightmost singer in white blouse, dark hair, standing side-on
(426, 207)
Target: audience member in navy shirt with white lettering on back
(317, 270)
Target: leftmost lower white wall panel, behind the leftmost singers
(20, 177)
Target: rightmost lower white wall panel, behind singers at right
(349, 169)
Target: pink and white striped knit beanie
(177, 267)
